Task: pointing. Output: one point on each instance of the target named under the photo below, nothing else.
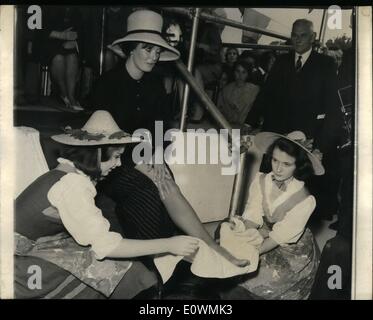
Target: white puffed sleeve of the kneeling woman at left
(73, 196)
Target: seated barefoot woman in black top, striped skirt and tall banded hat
(136, 98)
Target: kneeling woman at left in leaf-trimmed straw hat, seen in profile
(63, 236)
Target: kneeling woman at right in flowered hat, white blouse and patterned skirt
(279, 206)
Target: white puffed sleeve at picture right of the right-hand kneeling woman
(291, 227)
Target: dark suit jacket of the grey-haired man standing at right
(305, 101)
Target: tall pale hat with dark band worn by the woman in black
(146, 26)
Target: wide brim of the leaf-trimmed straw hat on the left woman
(72, 141)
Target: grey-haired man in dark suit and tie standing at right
(301, 94)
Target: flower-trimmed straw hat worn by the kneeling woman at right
(264, 139)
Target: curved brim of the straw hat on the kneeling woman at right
(264, 139)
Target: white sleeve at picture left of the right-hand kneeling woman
(253, 208)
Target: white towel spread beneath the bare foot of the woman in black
(207, 263)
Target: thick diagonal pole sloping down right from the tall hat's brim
(202, 95)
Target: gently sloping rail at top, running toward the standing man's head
(229, 22)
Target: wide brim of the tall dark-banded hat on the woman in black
(169, 53)
